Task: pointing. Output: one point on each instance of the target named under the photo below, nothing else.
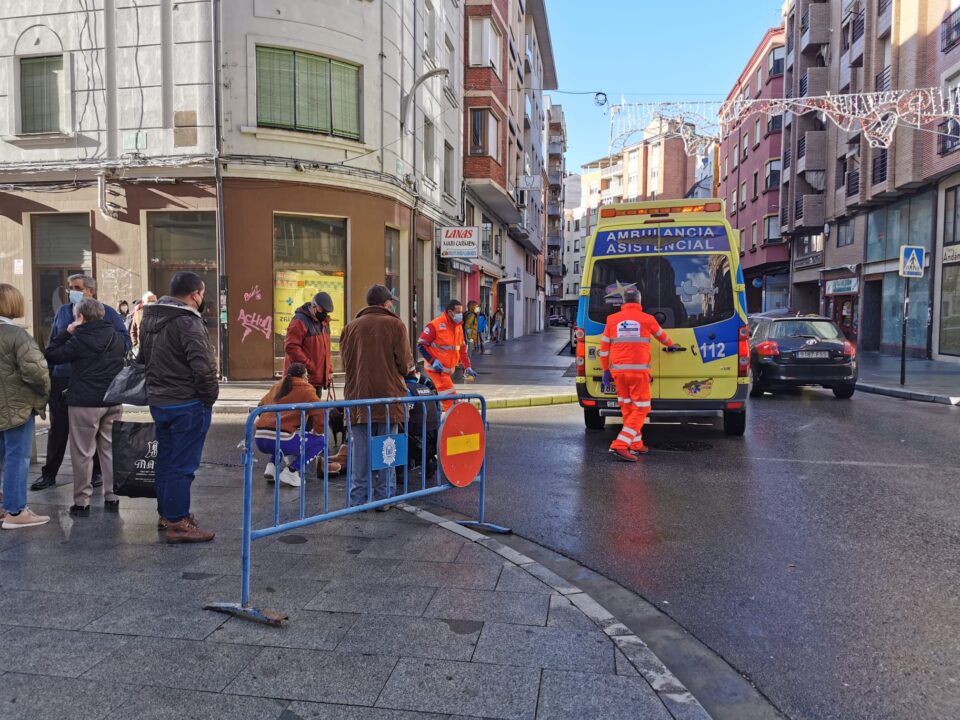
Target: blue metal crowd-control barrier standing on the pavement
(400, 438)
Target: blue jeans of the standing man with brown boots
(180, 431)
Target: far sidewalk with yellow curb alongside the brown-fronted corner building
(518, 373)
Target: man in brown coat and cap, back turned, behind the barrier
(376, 358)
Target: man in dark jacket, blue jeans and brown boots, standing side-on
(182, 386)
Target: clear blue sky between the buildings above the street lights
(649, 51)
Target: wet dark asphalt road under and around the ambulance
(818, 555)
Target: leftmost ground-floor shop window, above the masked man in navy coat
(61, 248)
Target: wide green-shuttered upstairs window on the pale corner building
(306, 92)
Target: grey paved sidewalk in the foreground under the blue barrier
(392, 615)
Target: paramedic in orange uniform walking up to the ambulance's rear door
(625, 359)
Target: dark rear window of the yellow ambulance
(681, 291)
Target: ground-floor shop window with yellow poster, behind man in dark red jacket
(309, 256)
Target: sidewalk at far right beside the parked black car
(927, 380)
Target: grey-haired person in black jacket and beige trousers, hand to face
(95, 349)
